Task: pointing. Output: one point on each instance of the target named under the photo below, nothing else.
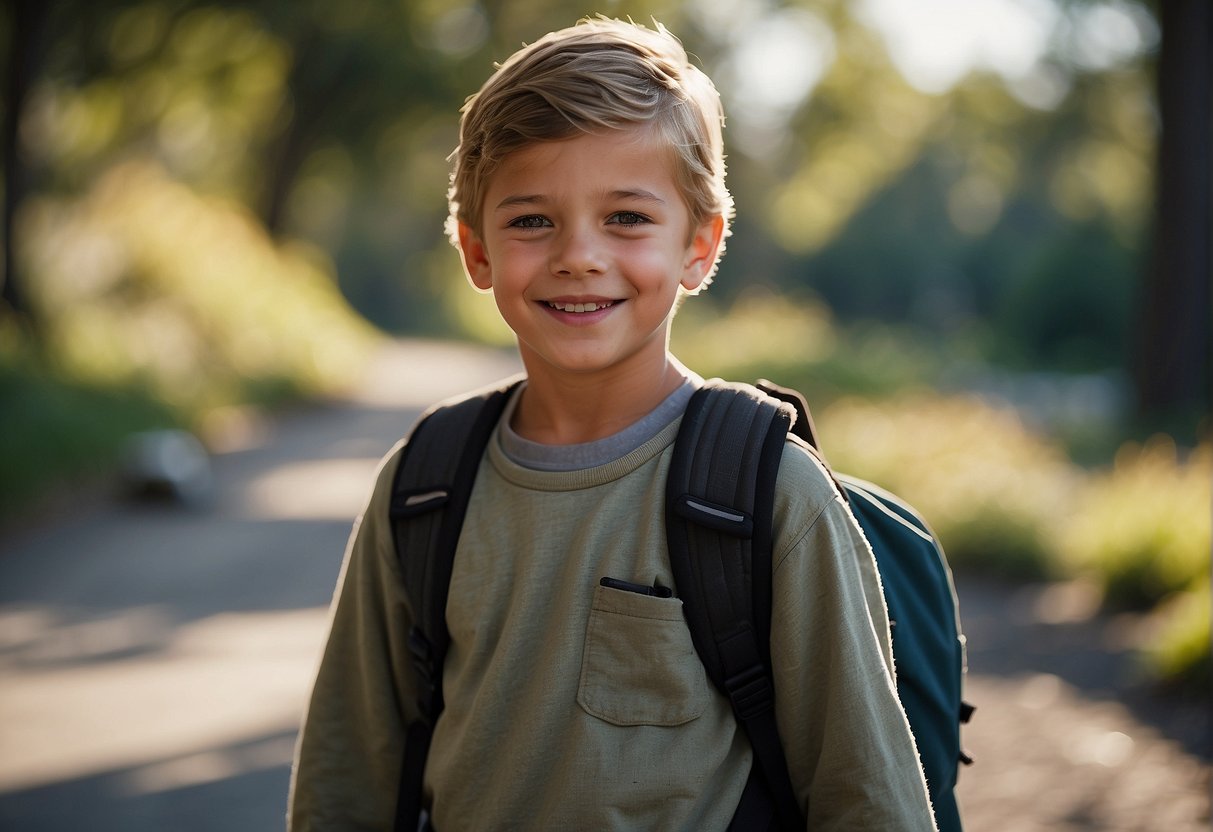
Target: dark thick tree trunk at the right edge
(1175, 357)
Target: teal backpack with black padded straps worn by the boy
(720, 495)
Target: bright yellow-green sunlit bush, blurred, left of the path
(151, 283)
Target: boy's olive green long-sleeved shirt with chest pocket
(574, 706)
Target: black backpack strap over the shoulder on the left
(430, 495)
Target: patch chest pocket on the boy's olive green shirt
(640, 666)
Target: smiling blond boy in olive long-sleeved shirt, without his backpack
(589, 197)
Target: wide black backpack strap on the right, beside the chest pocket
(720, 495)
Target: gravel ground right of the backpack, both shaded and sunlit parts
(1067, 736)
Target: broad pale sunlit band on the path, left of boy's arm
(212, 683)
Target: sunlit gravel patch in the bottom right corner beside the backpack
(1068, 763)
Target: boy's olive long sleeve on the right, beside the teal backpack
(850, 750)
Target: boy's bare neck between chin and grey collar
(567, 409)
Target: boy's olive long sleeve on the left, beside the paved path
(349, 757)
